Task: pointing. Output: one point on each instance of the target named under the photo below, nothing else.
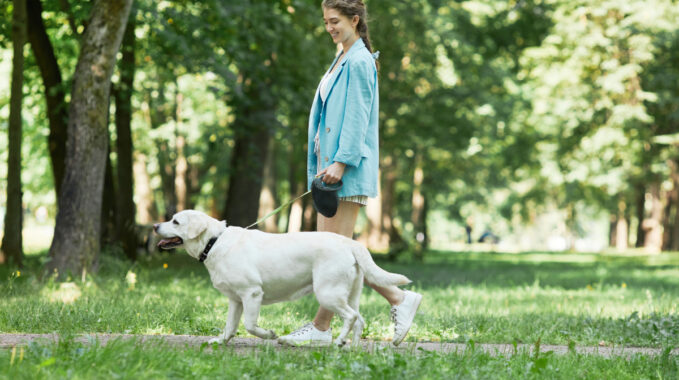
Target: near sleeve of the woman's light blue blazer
(361, 82)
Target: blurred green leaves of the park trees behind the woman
(512, 108)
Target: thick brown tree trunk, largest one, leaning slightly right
(76, 242)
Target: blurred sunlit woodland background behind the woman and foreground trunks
(509, 125)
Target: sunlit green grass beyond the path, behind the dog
(484, 297)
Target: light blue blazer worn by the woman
(348, 123)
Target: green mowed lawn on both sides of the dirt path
(581, 299)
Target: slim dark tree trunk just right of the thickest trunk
(125, 221)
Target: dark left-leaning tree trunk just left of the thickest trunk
(54, 90)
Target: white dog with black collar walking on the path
(255, 268)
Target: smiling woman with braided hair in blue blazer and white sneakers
(343, 145)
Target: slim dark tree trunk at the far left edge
(12, 241)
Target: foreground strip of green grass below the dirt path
(125, 359)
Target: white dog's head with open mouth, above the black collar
(185, 227)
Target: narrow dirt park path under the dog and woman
(243, 344)
